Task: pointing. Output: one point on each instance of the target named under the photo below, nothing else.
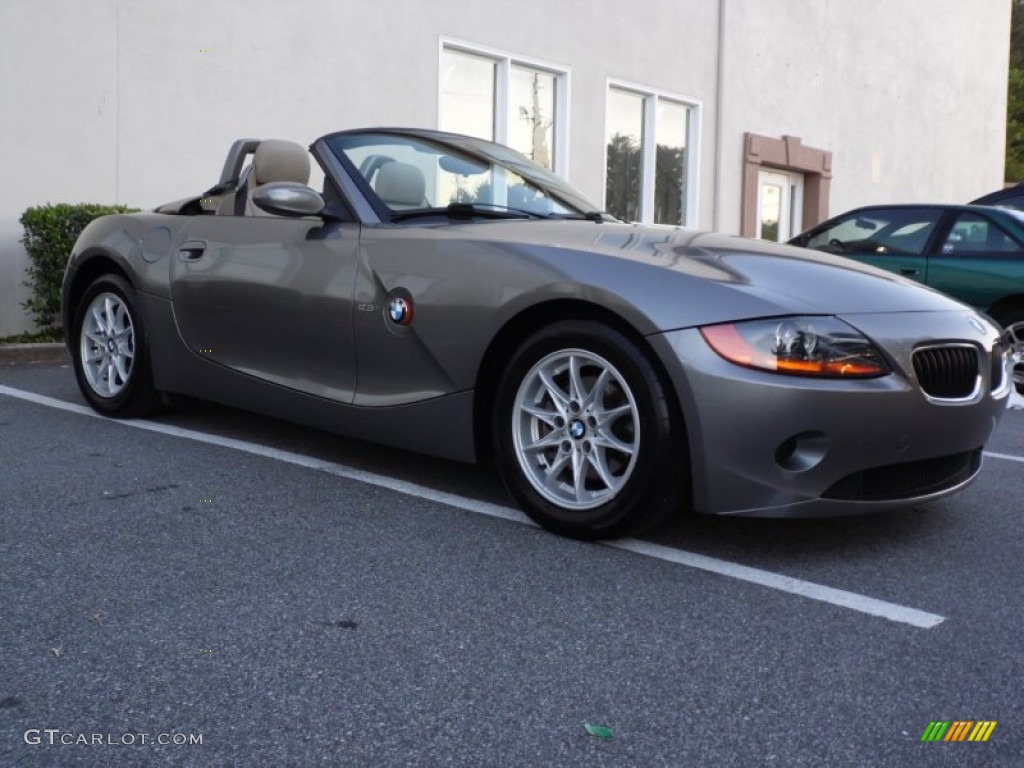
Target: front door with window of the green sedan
(892, 238)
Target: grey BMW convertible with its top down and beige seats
(446, 295)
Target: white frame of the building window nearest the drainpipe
(652, 98)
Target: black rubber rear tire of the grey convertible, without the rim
(138, 397)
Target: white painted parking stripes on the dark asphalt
(842, 599)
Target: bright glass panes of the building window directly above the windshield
(505, 100)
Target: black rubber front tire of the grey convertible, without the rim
(650, 493)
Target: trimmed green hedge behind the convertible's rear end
(51, 233)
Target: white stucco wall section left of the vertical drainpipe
(117, 102)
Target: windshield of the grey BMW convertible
(412, 174)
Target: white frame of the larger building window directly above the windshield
(504, 62)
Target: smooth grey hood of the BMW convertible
(682, 278)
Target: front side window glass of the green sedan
(898, 232)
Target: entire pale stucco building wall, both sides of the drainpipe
(137, 103)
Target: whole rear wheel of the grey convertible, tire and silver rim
(110, 351)
